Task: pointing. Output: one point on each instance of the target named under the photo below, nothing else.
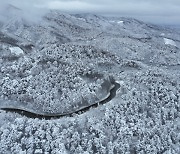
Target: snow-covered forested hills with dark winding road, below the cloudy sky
(107, 85)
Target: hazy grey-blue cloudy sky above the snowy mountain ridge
(155, 11)
